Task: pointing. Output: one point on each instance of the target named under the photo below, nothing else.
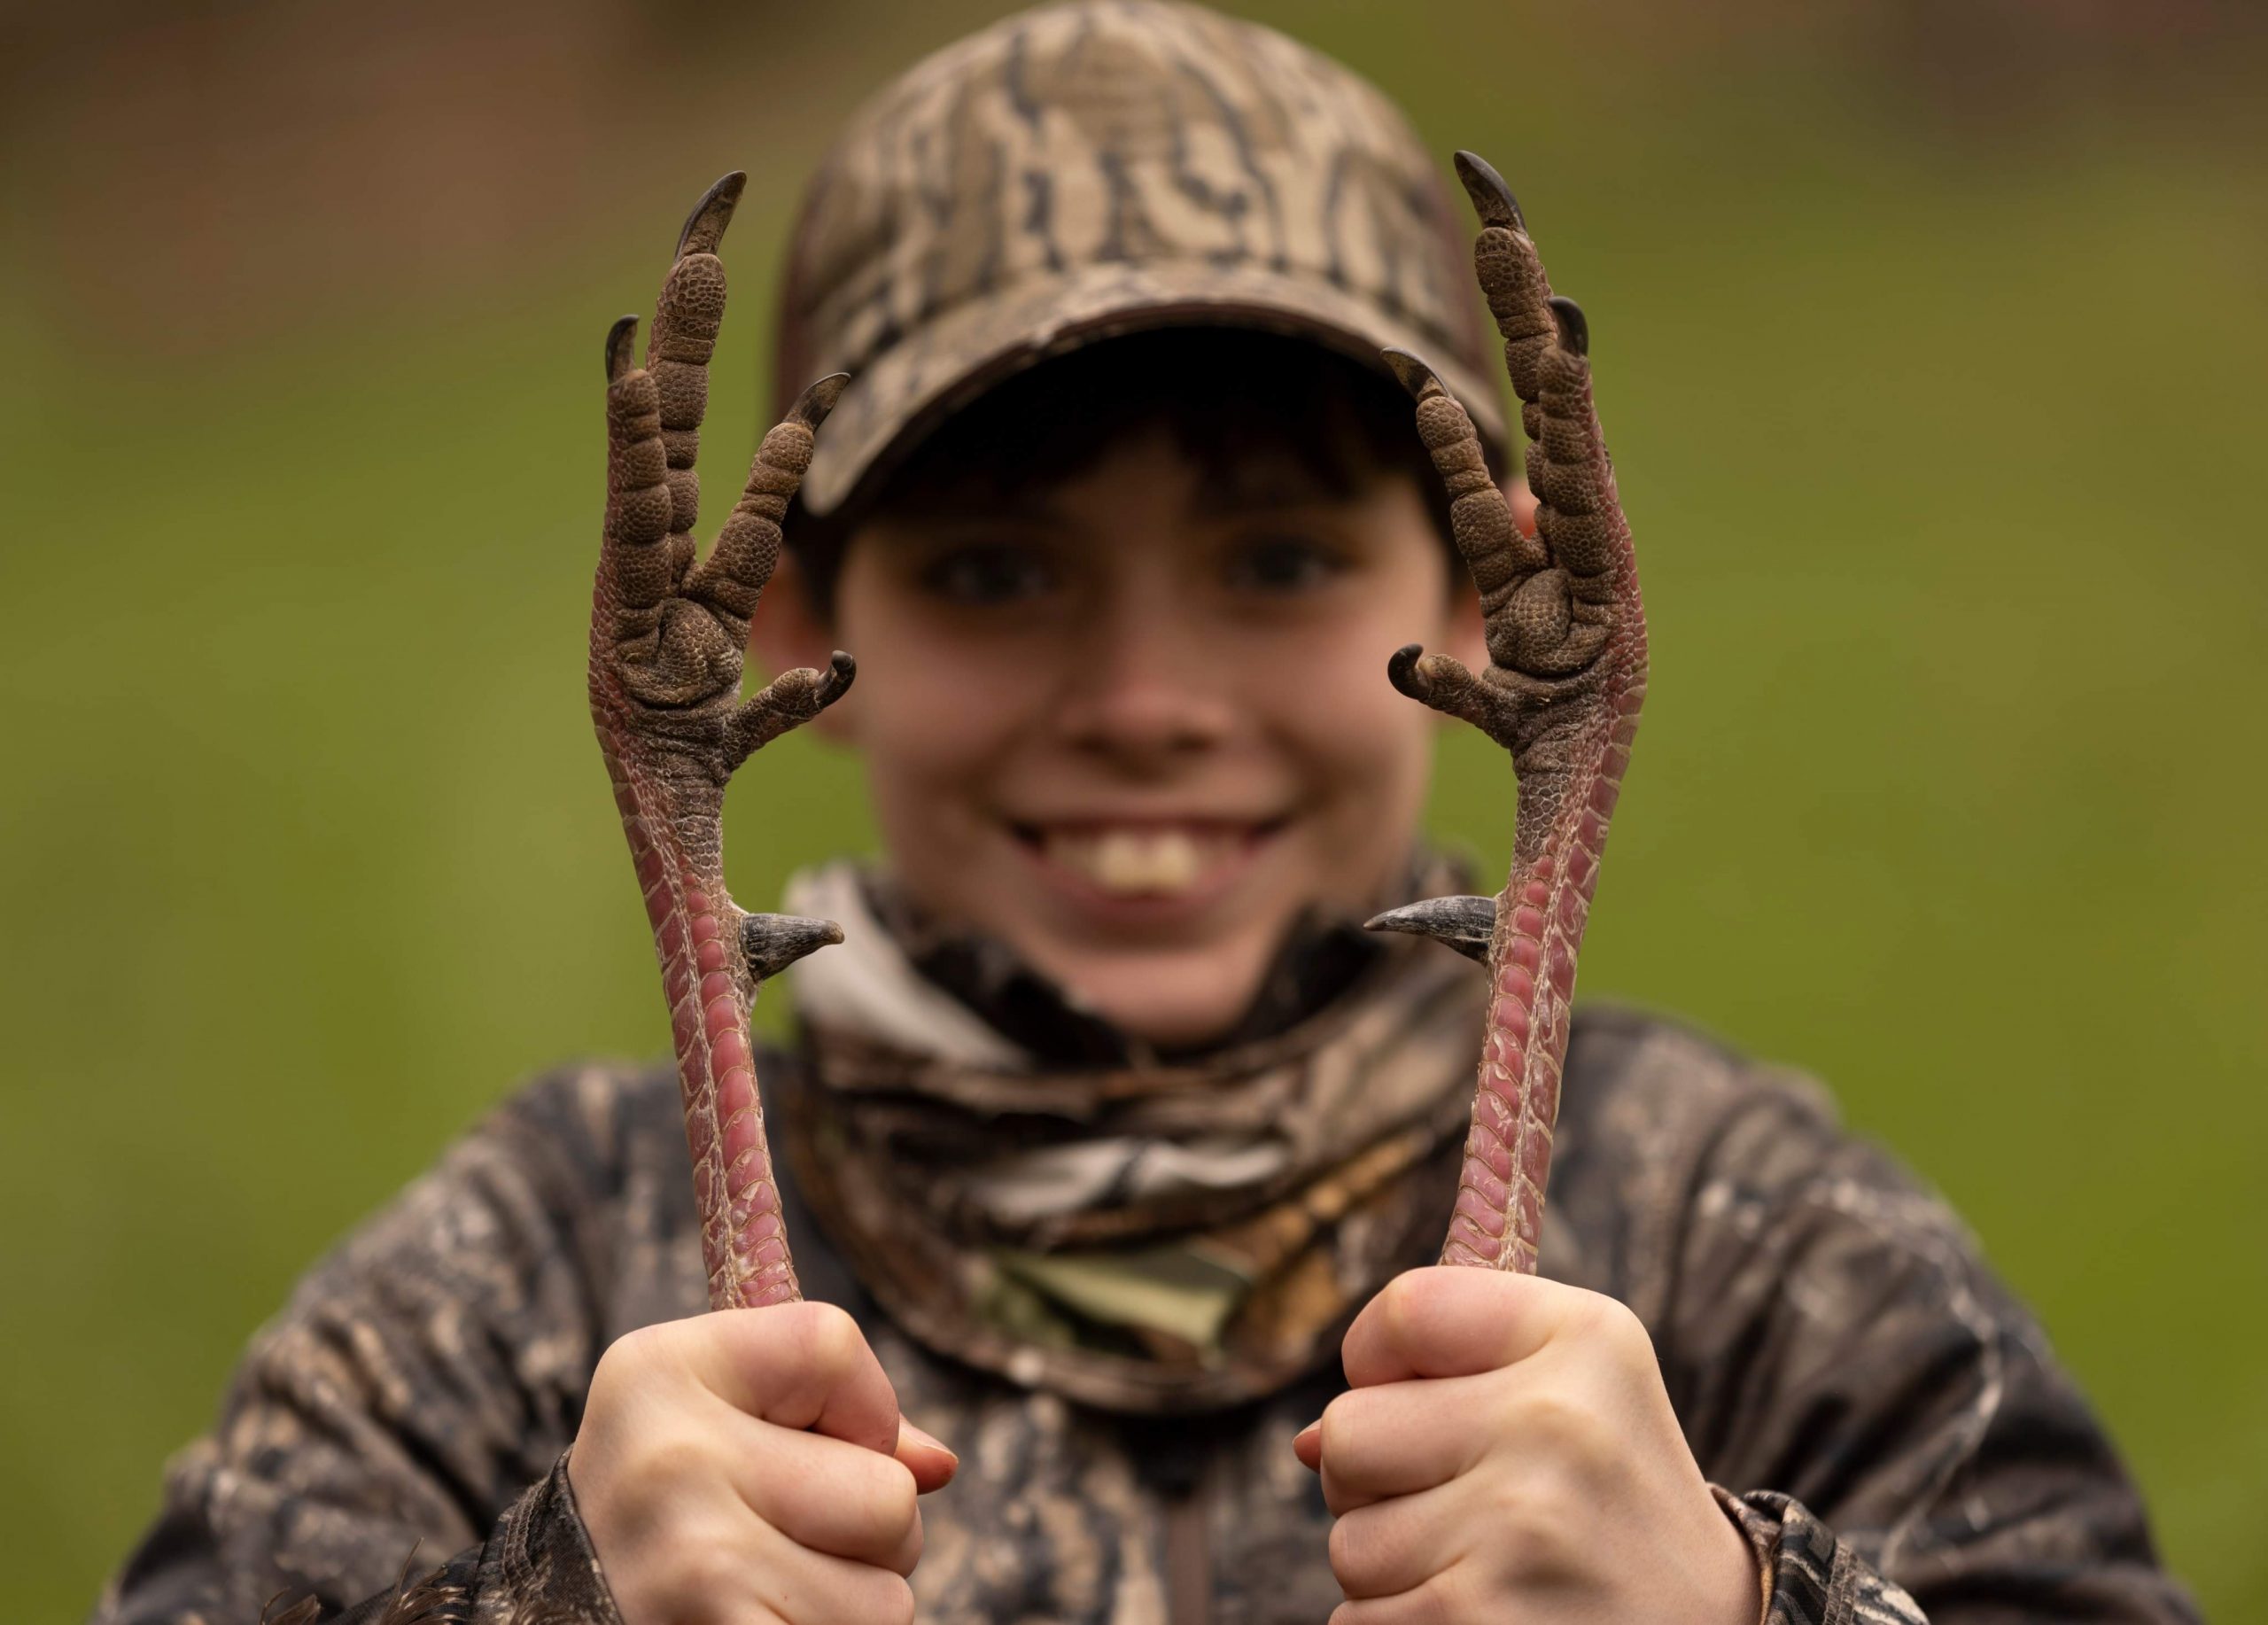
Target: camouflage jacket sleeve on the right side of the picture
(1881, 1408)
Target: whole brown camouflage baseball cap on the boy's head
(1097, 169)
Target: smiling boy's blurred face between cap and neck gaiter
(1135, 727)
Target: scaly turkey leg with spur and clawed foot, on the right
(1562, 691)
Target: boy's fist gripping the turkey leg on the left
(754, 1465)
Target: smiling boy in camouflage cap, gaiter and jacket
(1110, 1136)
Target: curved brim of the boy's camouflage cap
(960, 355)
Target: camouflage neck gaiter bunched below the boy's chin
(1131, 1231)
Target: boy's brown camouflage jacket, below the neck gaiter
(1897, 1440)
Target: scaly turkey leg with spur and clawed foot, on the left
(668, 639)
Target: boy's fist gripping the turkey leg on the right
(1509, 1454)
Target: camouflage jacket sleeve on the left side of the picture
(414, 1404)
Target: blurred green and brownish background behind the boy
(1931, 344)
